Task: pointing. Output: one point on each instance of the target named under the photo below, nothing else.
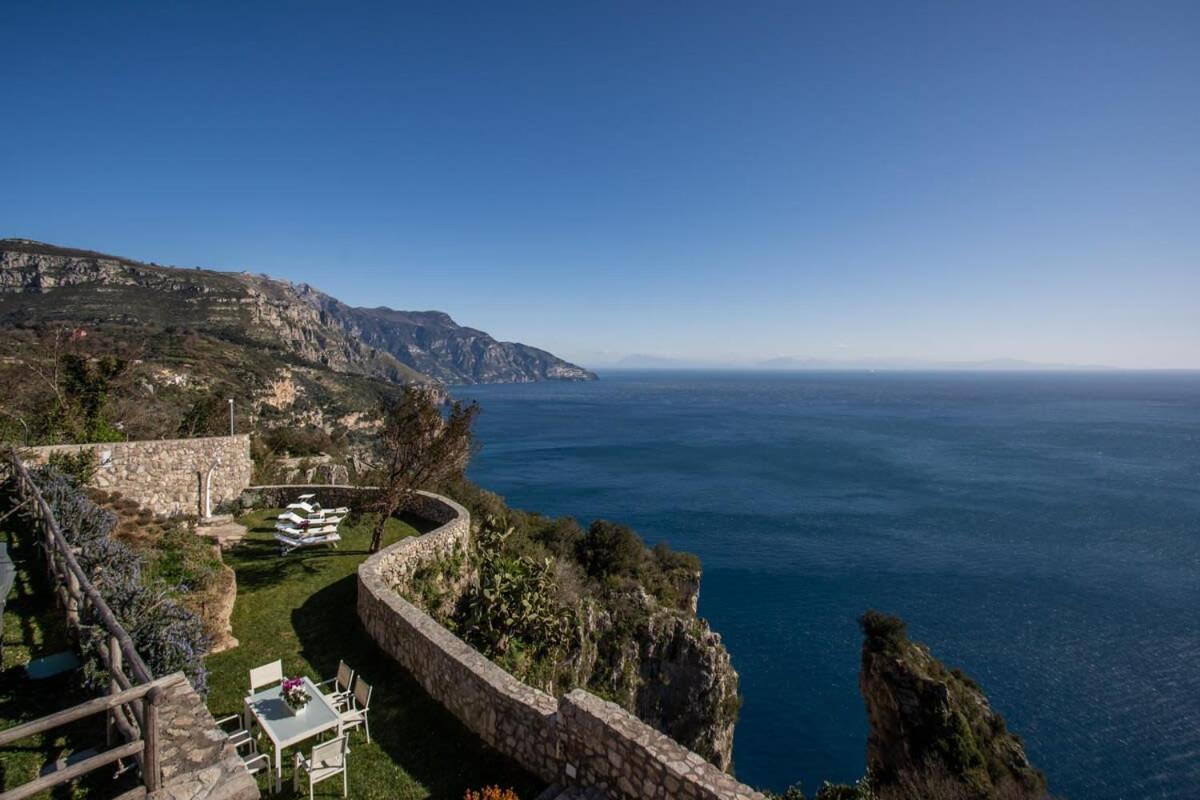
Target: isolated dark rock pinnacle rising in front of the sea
(932, 727)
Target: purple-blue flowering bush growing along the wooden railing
(169, 636)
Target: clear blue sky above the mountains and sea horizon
(961, 181)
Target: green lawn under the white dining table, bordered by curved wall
(302, 609)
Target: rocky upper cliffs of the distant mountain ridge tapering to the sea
(43, 284)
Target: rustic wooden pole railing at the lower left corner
(133, 702)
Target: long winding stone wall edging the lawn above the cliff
(577, 741)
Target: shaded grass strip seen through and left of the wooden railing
(33, 628)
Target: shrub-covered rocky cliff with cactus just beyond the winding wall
(563, 610)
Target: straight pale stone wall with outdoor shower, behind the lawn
(170, 477)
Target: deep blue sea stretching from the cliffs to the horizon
(1040, 531)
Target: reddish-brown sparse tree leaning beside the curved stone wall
(421, 448)
